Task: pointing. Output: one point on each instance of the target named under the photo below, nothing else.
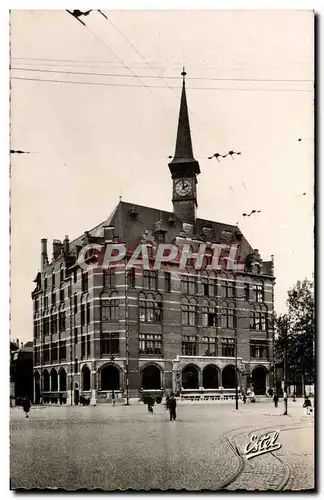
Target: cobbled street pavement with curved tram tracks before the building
(125, 447)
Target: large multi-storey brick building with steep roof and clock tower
(133, 331)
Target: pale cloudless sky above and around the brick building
(249, 89)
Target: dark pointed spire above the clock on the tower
(183, 149)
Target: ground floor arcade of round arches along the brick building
(99, 380)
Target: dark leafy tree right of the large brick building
(299, 323)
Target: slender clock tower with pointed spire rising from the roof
(183, 167)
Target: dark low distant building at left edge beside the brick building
(21, 370)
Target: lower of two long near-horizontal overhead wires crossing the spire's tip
(156, 86)
